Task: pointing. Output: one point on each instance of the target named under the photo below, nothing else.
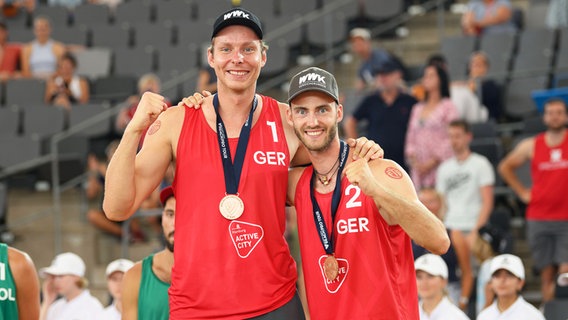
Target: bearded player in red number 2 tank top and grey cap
(354, 230)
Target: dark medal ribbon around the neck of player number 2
(325, 236)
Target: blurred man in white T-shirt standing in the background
(466, 182)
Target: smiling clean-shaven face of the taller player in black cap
(237, 55)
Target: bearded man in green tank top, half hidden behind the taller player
(146, 284)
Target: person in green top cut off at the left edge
(19, 285)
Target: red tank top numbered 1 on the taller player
(231, 269)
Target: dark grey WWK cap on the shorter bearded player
(313, 79)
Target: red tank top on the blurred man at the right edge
(549, 172)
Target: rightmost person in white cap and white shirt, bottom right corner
(507, 281)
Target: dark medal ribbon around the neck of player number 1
(232, 171)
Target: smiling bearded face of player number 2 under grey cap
(314, 116)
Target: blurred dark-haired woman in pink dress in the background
(427, 142)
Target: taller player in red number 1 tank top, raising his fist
(231, 260)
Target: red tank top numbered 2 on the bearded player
(376, 267)
